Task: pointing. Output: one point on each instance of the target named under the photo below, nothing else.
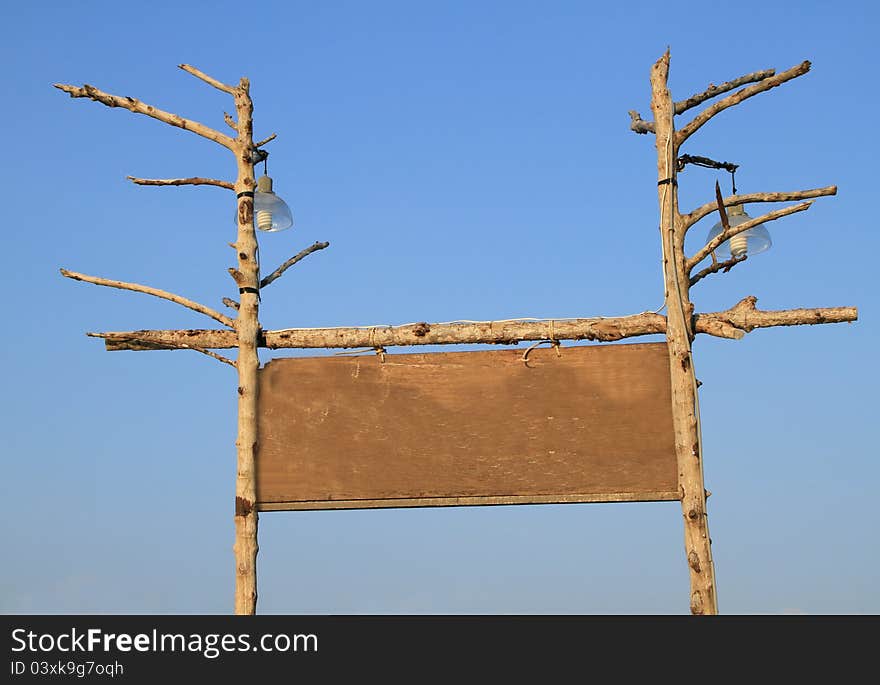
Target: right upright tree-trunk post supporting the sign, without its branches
(679, 334)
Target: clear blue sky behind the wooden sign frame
(465, 161)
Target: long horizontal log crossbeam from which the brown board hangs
(731, 323)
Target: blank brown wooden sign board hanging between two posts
(591, 424)
